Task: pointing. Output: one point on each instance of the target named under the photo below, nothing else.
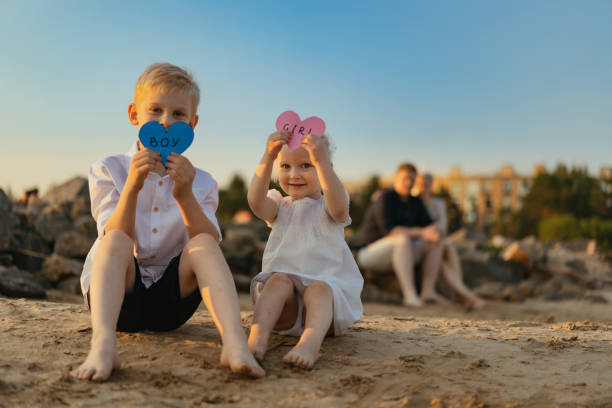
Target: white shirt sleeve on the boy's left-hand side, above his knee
(104, 195)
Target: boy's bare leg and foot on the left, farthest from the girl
(113, 270)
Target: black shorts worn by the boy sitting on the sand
(159, 307)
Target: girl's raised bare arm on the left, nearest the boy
(262, 206)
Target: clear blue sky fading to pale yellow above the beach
(440, 83)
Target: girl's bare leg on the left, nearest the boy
(276, 308)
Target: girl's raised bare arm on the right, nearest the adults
(335, 196)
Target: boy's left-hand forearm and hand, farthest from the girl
(124, 215)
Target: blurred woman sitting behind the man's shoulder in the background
(450, 265)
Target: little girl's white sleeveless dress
(308, 245)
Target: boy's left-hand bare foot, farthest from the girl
(101, 360)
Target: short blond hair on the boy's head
(166, 77)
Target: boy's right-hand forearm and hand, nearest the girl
(182, 172)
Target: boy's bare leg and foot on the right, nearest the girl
(203, 265)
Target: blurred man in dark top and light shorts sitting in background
(397, 233)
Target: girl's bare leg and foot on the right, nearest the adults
(319, 307)
